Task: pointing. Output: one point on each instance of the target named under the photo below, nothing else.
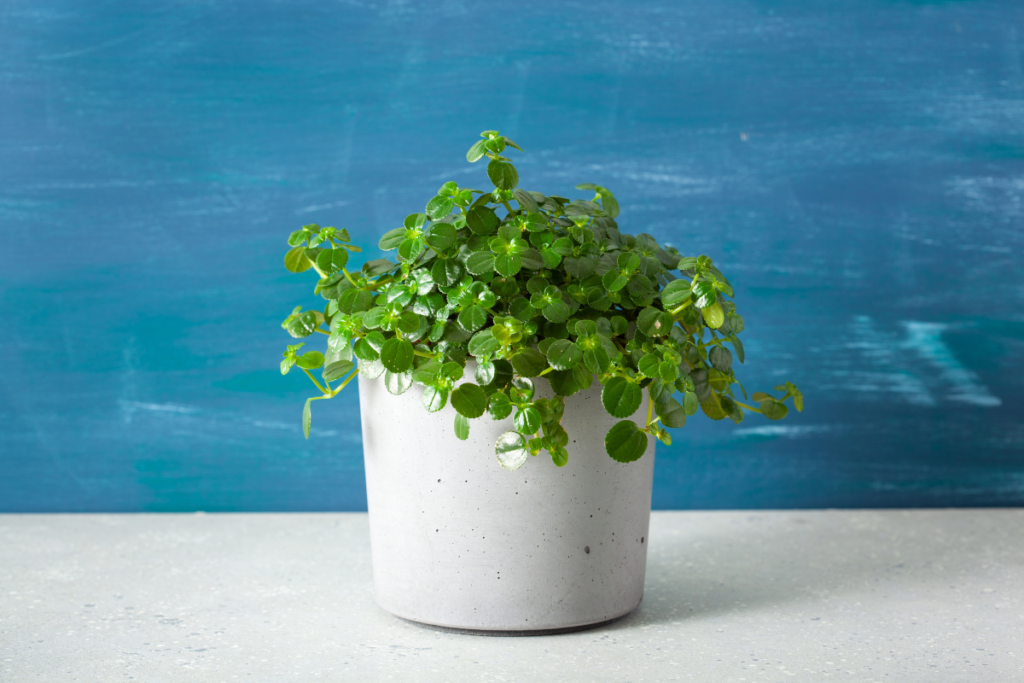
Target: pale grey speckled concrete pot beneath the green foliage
(459, 542)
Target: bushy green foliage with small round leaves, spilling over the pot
(527, 286)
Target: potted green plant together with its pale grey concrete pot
(517, 324)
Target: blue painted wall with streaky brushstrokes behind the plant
(857, 167)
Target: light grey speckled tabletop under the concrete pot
(892, 596)
